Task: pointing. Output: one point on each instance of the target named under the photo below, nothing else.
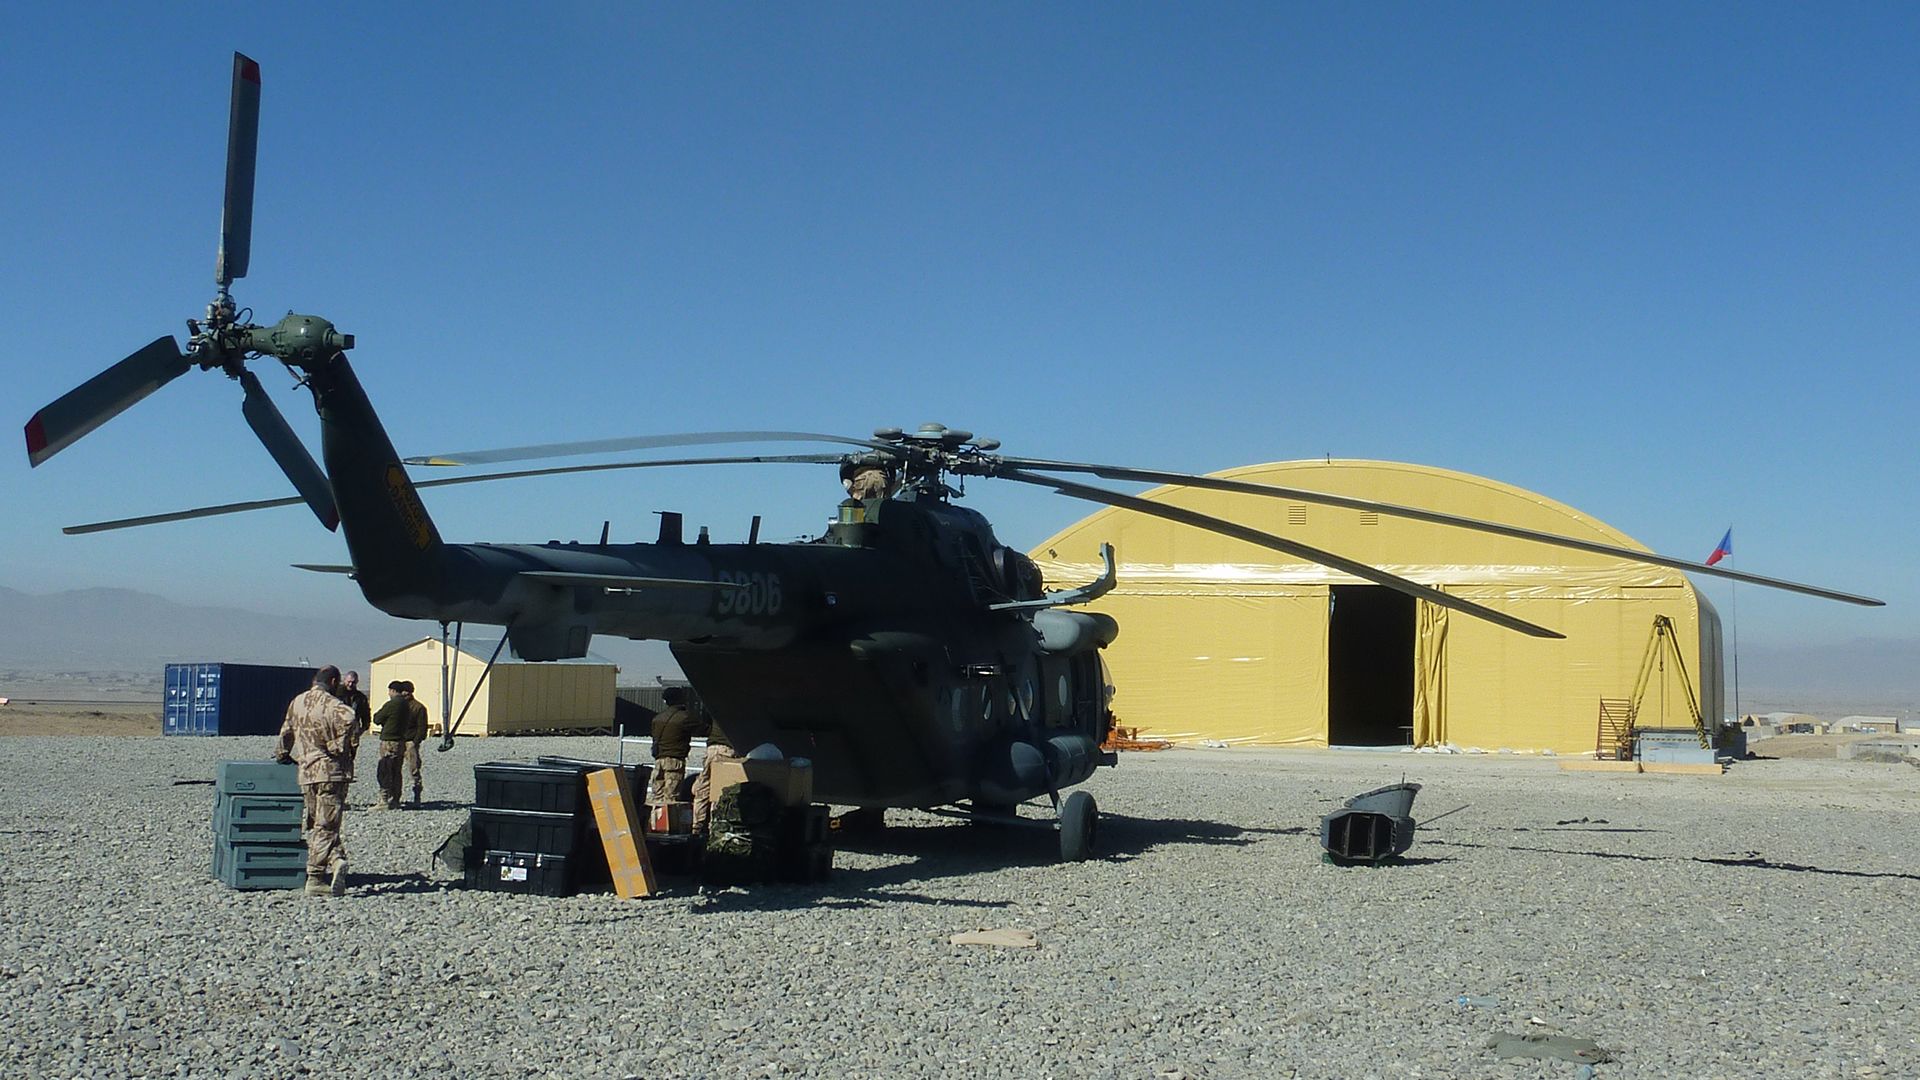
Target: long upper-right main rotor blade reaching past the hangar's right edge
(1437, 518)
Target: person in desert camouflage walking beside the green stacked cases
(320, 735)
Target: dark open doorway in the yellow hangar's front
(1370, 668)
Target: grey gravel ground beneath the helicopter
(1764, 923)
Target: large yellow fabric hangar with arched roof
(1228, 641)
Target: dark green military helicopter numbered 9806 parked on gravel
(907, 652)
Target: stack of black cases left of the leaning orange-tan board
(531, 829)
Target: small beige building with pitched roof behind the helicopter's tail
(517, 697)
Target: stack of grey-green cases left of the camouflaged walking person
(256, 825)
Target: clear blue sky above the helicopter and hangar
(1658, 262)
